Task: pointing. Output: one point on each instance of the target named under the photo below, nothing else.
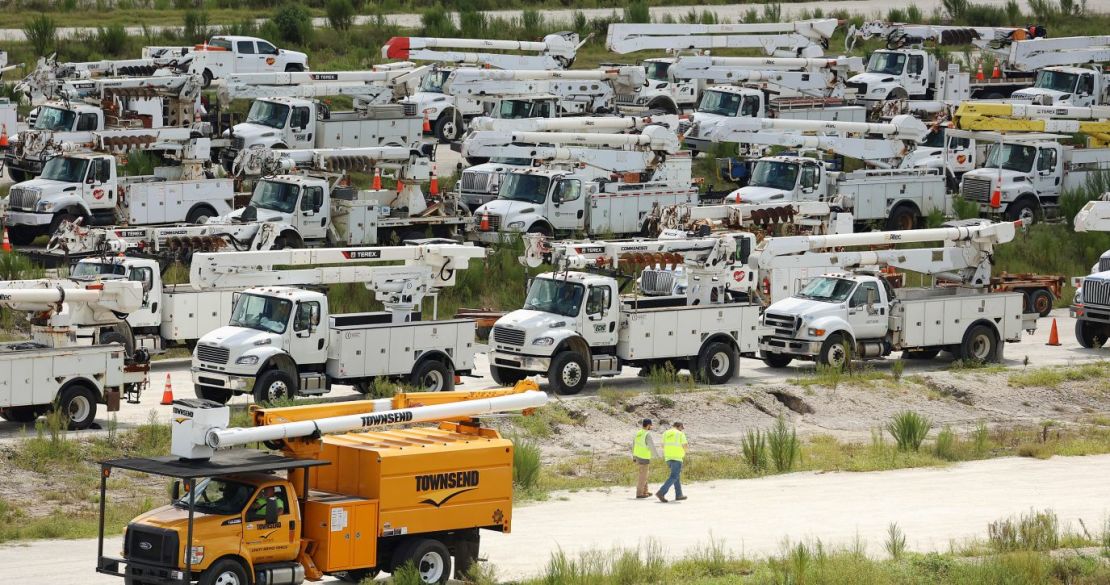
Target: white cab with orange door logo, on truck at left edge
(69, 187)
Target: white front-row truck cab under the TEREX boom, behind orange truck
(274, 347)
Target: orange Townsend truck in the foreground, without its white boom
(359, 505)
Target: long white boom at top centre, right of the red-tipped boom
(805, 38)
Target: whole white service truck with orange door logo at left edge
(88, 186)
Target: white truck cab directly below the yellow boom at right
(1018, 178)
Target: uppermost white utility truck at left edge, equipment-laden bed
(119, 115)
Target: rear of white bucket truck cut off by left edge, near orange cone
(67, 366)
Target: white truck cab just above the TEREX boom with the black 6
(300, 203)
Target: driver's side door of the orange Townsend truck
(270, 542)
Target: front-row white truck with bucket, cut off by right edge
(1092, 305)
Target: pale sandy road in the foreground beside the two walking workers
(753, 517)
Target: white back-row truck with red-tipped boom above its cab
(448, 114)
